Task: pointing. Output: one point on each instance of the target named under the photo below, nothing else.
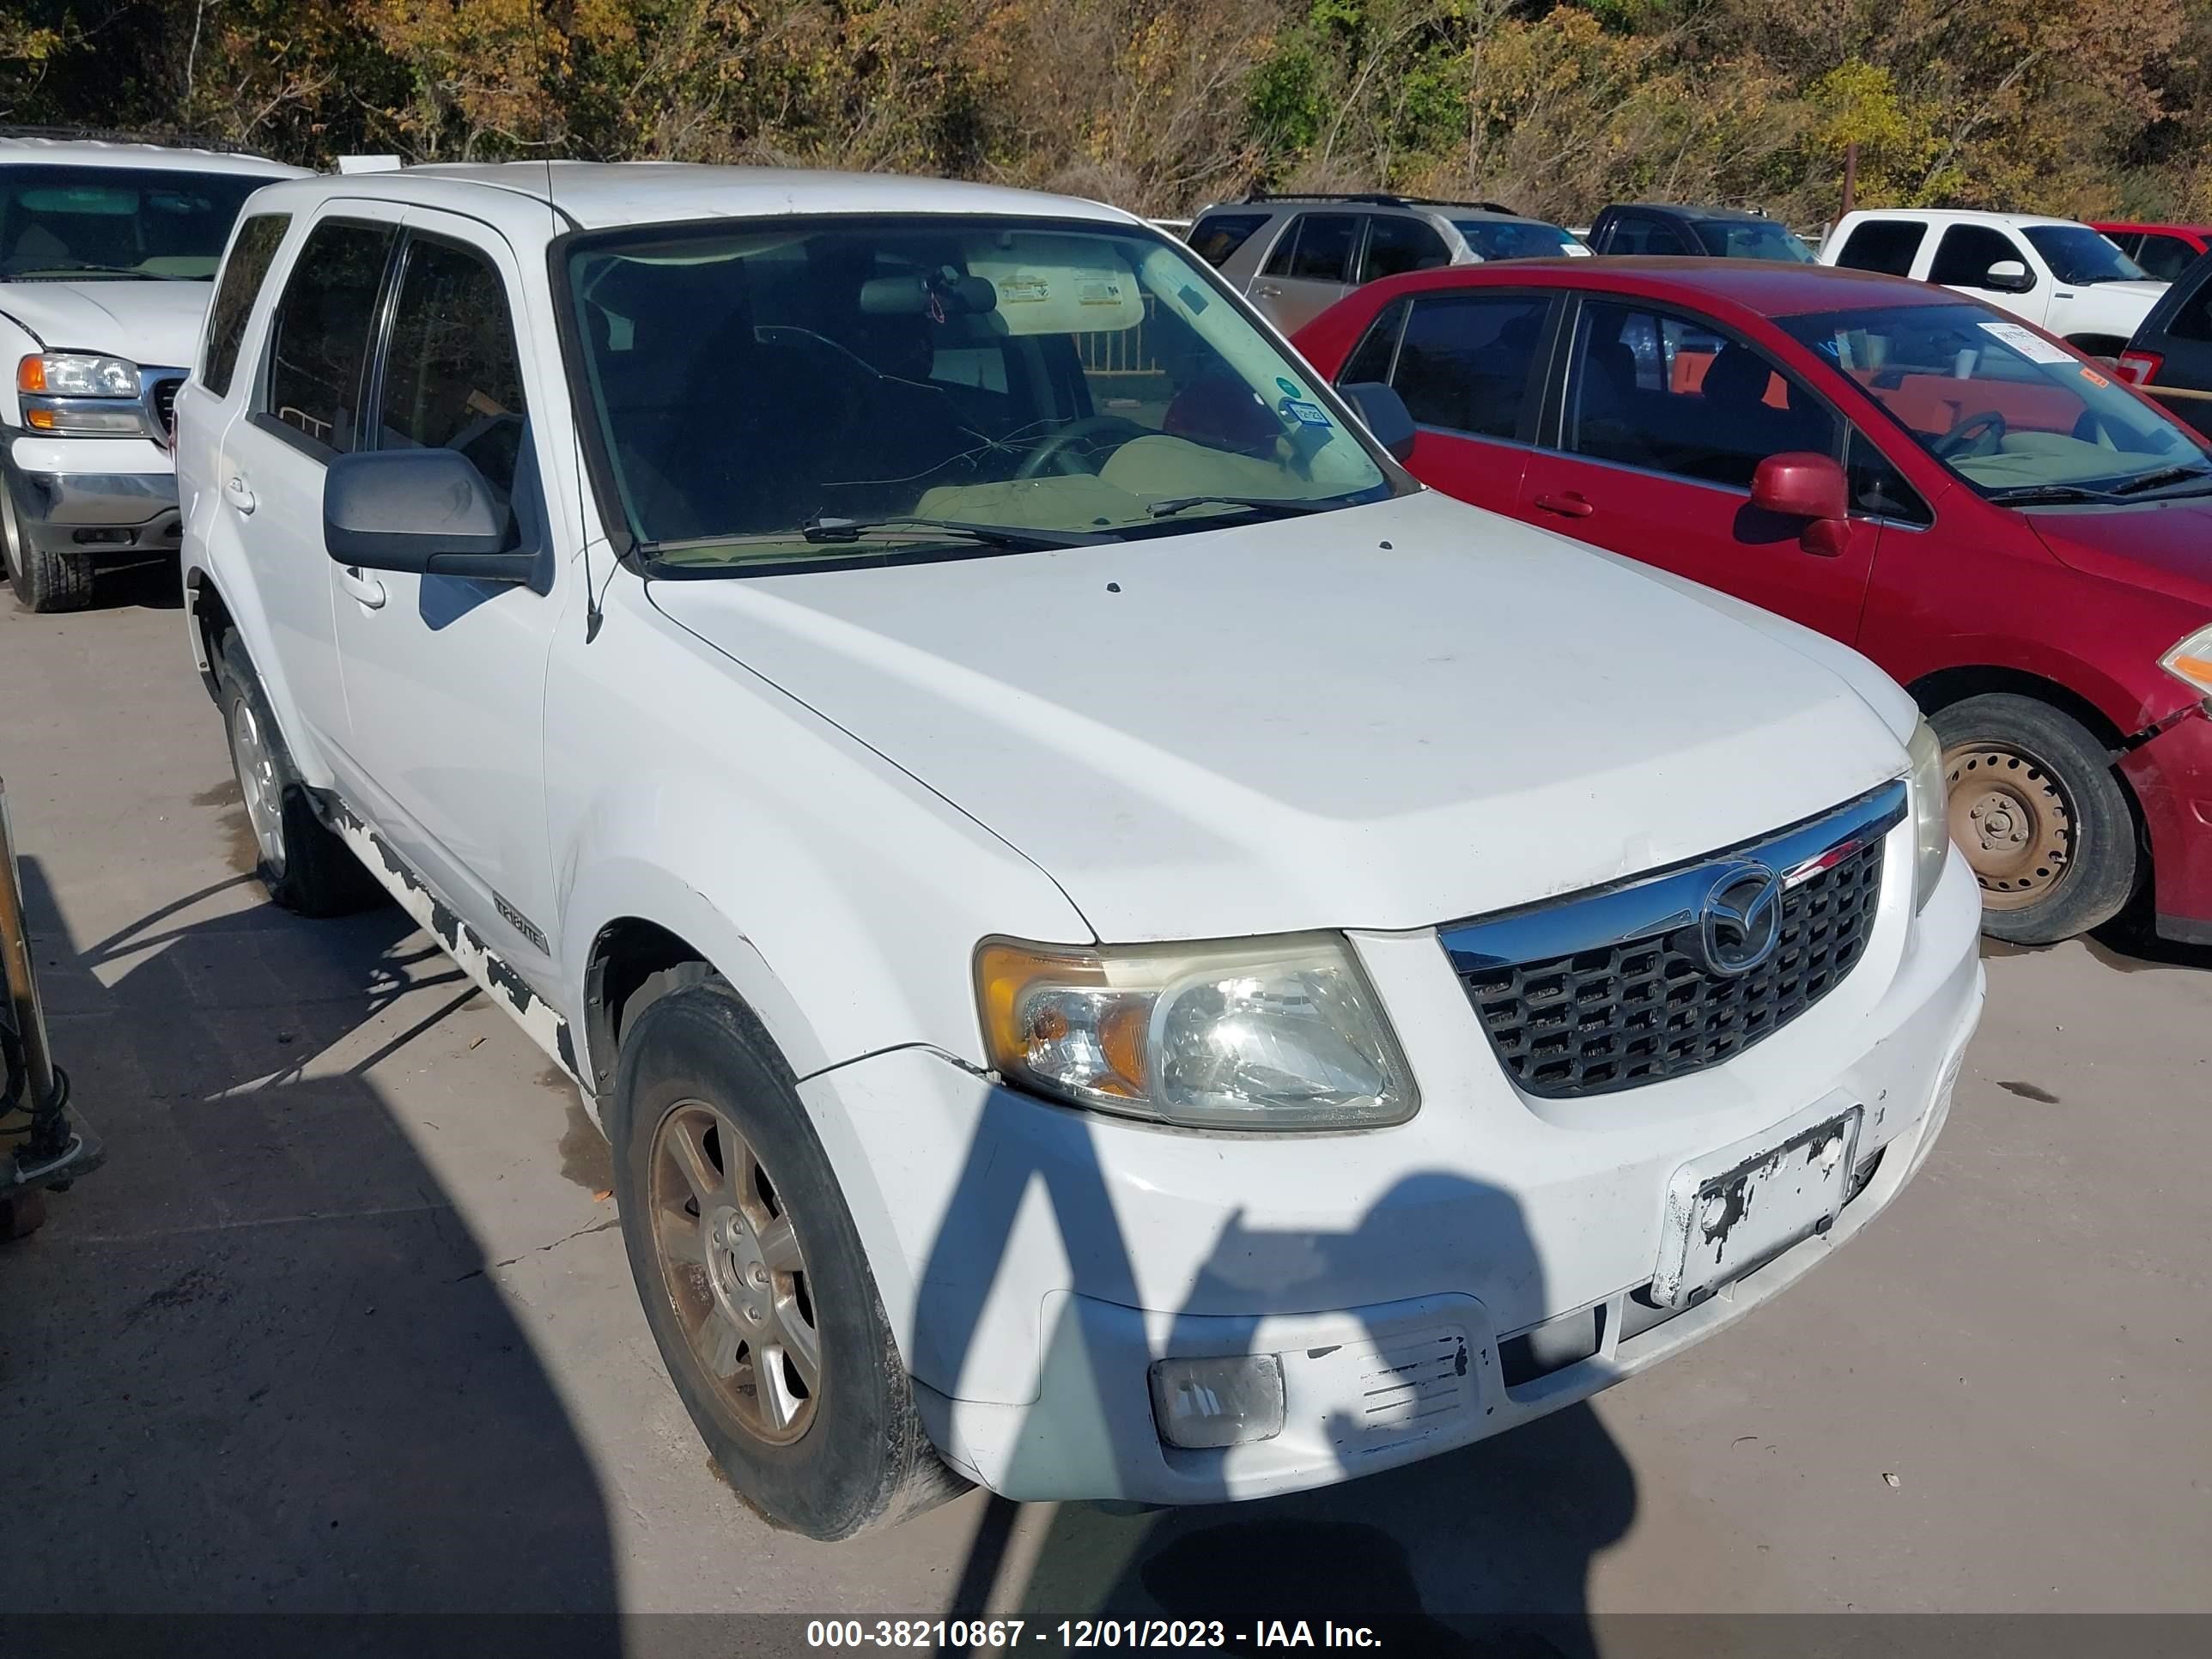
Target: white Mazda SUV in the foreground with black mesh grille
(1125, 948)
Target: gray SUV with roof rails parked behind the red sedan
(1300, 255)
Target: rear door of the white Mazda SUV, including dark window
(302, 413)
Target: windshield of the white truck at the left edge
(65, 225)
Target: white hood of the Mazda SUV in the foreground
(1377, 718)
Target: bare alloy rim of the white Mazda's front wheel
(733, 1271)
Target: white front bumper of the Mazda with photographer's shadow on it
(1036, 1262)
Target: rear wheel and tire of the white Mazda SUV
(302, 864)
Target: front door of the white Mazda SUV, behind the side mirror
(446, 676)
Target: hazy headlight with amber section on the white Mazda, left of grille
(1244, 1034)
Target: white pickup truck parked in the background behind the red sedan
(2054, 273)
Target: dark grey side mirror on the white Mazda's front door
(419, 510)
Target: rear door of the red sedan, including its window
(1470, 366)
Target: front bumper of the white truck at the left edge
(105, 499)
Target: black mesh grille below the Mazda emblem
(1642, 1010)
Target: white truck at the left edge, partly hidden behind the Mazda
(107, 260)
